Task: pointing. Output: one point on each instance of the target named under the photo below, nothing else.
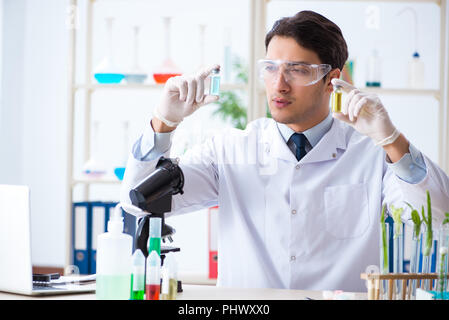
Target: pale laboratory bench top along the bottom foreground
(203, 292)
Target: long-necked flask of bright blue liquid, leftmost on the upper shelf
(106, 71)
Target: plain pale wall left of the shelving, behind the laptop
(34, 117)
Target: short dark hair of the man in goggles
(314, 32)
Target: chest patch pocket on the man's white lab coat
(347, 211)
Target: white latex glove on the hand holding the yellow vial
(366, 114)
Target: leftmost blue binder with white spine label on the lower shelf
(81, 236)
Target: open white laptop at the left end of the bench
(16, 273)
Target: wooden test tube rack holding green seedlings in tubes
(377, 291)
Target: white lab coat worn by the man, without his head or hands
(312, 224)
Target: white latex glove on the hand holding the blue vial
(182, 96)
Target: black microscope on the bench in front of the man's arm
(153, 195)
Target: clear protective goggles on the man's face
(295, 73)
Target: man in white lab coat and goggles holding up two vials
(300, 195)
